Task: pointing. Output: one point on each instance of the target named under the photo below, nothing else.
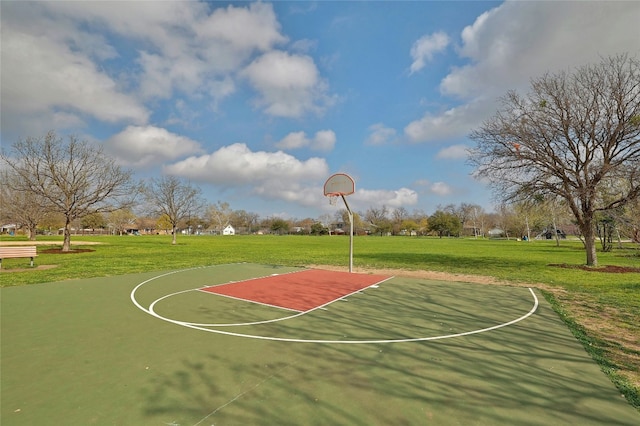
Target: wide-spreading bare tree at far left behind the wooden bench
(74, 178)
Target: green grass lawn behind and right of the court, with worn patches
(600, 308)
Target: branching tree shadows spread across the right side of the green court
(530, 373)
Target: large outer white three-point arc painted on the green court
(284, 339)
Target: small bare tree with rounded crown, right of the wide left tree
(174, 199)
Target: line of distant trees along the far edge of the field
(68, 184)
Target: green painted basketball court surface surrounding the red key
(151, 349)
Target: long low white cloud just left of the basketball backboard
(270, 174)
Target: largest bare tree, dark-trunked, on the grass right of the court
(567, 138)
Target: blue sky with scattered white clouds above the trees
(258, 103)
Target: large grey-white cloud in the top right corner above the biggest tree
(517, 41)
